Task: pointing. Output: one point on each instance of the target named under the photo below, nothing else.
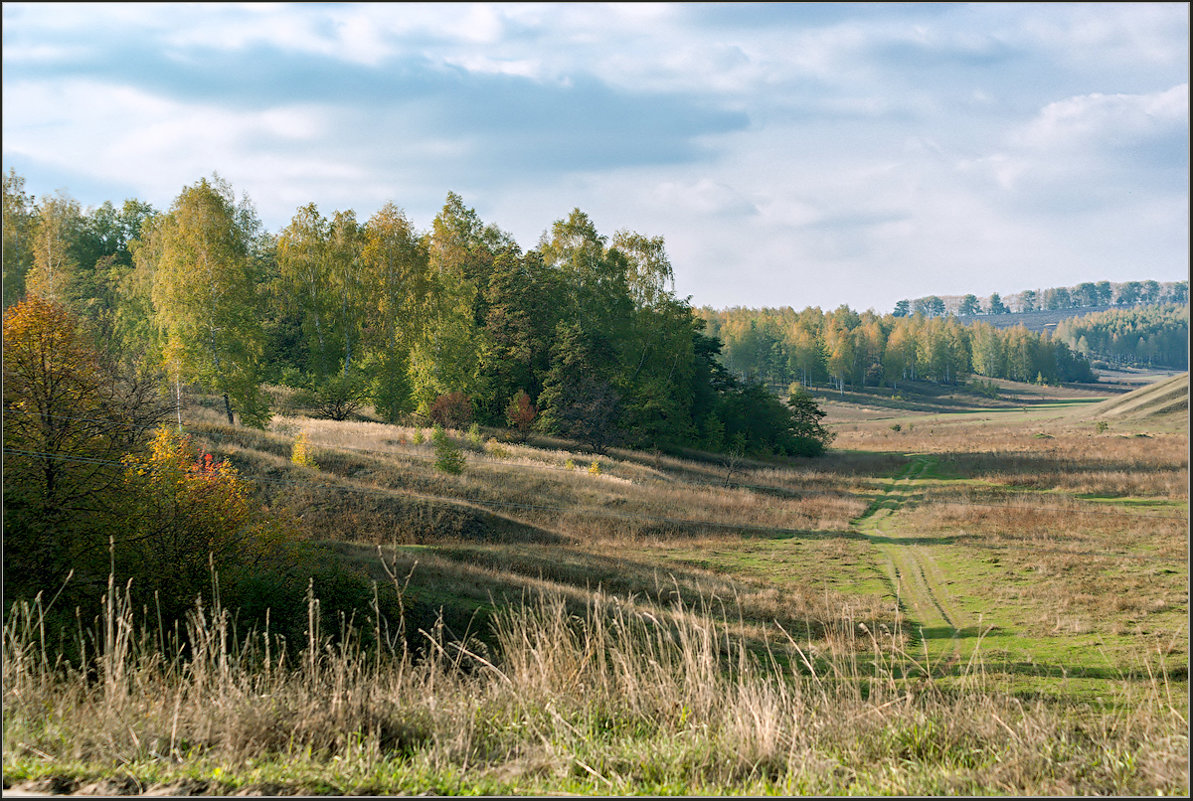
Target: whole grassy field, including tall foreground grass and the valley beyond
(968, 595)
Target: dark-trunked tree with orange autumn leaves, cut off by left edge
(69, 420)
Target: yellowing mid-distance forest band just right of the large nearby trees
(843, 348)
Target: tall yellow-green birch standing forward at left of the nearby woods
(205, 298)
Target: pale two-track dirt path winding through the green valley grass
(919, 583)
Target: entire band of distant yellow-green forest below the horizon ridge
(844, 348)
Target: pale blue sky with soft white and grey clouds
(790, 155)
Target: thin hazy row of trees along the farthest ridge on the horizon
(1084, 295)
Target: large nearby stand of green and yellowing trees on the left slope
(584, 334)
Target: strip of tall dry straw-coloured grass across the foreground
(620, 698)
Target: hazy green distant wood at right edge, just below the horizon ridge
(1157, 336)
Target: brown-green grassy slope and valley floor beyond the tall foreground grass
(966, 525)
